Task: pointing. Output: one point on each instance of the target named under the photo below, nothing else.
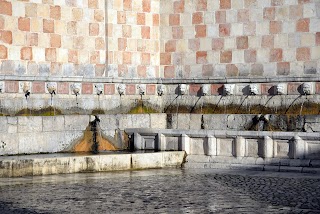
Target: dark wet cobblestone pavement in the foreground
(163, 191)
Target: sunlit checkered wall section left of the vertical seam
(52, 37)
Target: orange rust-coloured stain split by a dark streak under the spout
(86, 143)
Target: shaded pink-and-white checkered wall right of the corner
(230, 38)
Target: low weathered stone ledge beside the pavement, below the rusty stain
(17, 166)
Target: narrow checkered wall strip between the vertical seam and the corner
(133, 38)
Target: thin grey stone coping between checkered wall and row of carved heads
(162, 81)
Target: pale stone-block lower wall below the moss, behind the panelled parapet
(51, 134)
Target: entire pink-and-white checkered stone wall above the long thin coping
(167, 39)
